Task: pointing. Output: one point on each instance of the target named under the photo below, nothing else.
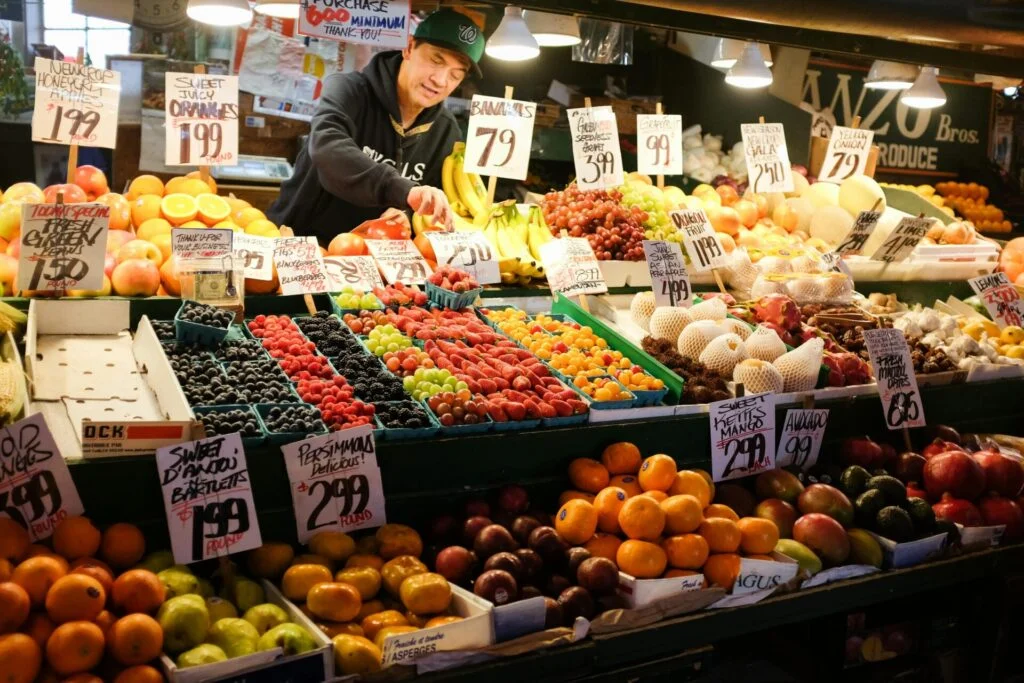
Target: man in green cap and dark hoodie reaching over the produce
(379, 138)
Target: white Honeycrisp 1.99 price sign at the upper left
(76, 104)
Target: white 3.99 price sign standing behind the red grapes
(595, 148)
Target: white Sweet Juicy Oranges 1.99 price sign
(202, 120)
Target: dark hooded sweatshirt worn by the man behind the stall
(359, 161)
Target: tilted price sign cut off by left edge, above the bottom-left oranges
(36, 489)
